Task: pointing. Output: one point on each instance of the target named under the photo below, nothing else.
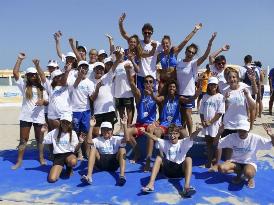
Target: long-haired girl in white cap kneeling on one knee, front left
(65, 143)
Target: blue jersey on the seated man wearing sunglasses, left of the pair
(146, 110)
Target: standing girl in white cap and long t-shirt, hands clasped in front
(211, 110)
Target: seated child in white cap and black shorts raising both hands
(107, 152)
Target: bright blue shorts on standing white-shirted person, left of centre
(80, 121)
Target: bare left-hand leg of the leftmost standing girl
(24, 137)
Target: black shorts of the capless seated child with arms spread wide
(172, 169)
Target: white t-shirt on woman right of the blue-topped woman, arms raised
(186, 75)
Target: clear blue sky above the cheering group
(28, 26)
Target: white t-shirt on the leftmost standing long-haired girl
(30, 112)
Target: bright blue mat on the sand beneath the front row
(29, 184)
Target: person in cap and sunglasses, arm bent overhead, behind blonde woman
(217, 64)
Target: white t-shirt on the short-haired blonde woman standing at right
(237, 107)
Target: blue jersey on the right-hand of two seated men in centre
(171, 113)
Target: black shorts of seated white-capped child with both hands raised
(107, 162)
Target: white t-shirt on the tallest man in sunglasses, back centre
(148, 65)
